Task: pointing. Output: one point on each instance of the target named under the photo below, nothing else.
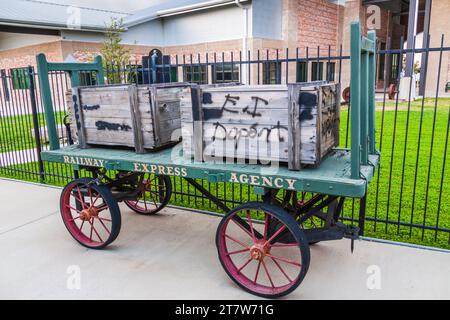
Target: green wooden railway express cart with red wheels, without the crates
(263, 246)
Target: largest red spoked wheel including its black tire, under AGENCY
(268, 257)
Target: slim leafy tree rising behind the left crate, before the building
(115, 56)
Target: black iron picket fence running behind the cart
(408, 200)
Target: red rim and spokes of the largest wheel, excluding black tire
(262, 264)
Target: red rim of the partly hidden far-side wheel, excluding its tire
(151, 198)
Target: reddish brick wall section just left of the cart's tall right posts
(318, 24)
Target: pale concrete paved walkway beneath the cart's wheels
(173, 256)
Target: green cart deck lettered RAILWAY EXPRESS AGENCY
(333, 177)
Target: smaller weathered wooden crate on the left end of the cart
(144, 117)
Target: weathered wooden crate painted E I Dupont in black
(297, 124)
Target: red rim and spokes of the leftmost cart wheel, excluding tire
(86, 215)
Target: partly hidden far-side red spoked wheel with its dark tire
(156, 194)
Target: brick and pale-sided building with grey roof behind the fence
(193, 30)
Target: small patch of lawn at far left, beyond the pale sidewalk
(16, 132)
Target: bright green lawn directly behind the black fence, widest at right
(399, 191)
